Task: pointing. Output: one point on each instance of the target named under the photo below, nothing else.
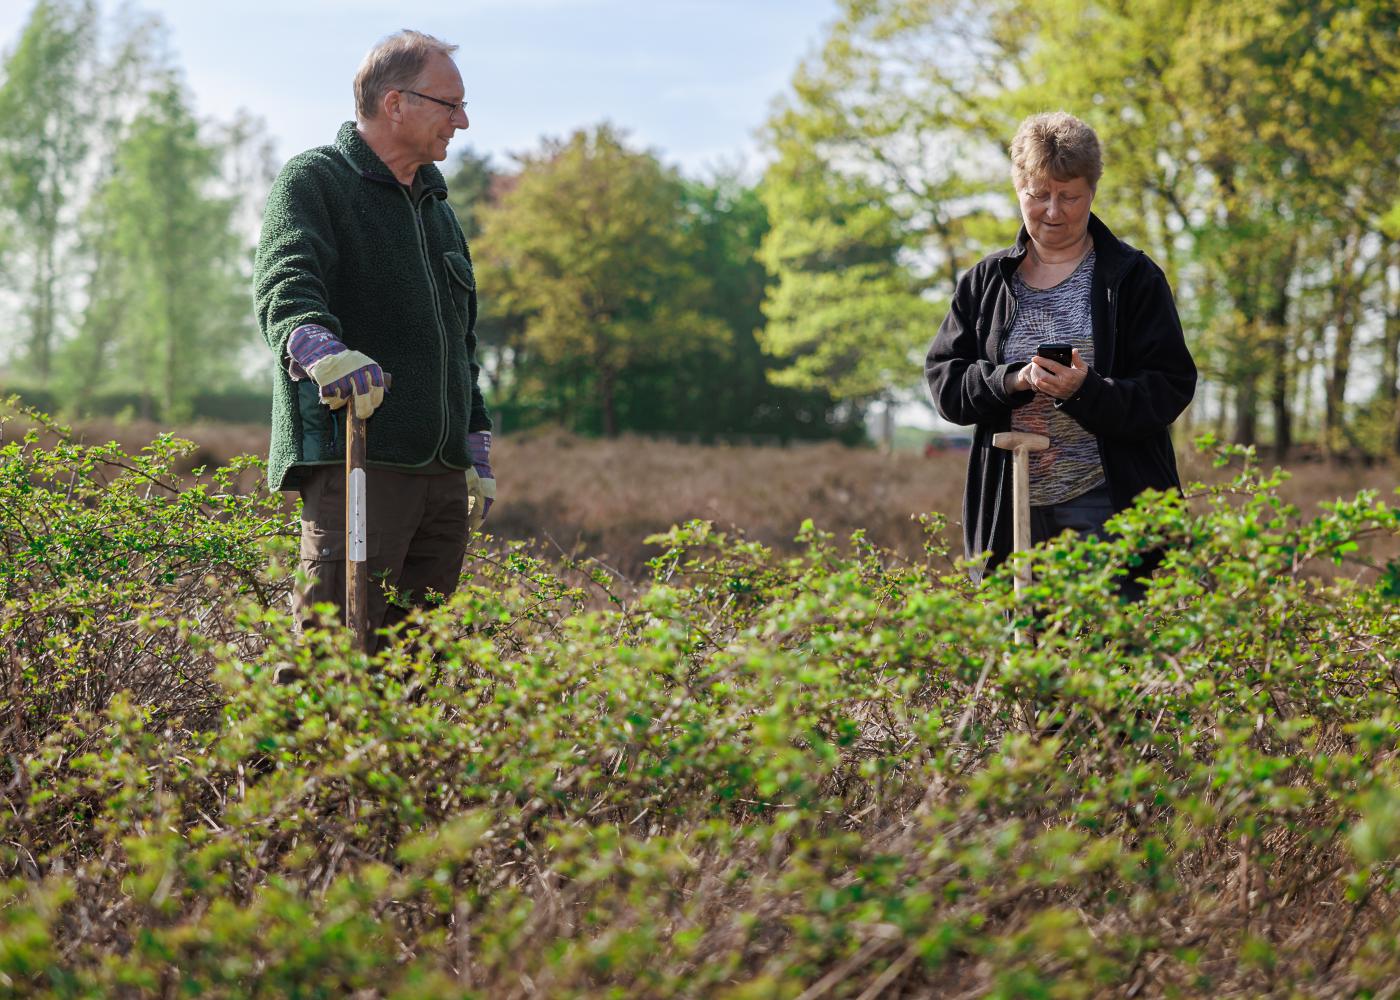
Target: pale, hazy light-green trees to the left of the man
(128, 219)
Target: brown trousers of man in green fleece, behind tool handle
(418, 532)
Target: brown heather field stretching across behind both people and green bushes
(603, 499)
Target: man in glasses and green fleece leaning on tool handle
(362, 275)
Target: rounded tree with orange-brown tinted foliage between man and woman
(600, 260)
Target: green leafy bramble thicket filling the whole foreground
(750, 777)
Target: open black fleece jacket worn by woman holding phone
(1142, 380)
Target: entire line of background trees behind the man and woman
(1251, 148)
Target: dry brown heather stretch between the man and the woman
(607, 496)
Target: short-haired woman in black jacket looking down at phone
(1067, 281)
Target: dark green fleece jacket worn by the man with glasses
(387, 270)
